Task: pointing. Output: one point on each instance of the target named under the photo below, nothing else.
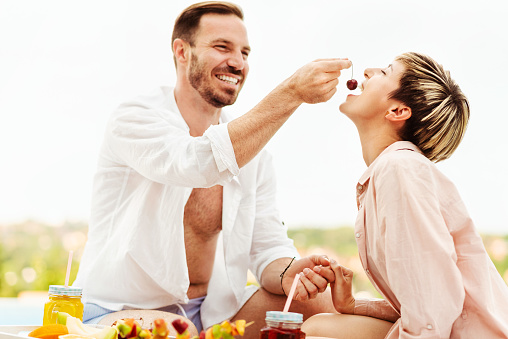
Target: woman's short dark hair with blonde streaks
(440, 111)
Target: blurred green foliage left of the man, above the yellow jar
(34, 256)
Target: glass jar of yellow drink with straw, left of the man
(63, 299)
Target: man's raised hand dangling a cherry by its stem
(316, 81)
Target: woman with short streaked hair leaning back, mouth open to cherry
(416, 240)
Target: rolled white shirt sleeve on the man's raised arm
(158, 146)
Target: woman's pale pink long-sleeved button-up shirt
(421, 251)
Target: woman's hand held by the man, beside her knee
(342, 288)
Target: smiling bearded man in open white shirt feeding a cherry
(184, 199)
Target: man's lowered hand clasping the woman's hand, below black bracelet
(317, 274)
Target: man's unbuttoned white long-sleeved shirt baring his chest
(148, 166)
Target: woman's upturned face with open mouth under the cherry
(374, 100)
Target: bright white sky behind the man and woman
(66, 65)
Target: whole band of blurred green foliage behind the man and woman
(34, 255)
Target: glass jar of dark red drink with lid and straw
(282, 325)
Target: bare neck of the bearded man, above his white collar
(197, 113)
